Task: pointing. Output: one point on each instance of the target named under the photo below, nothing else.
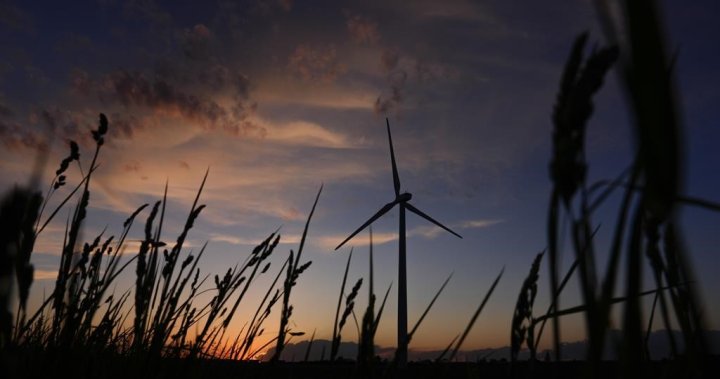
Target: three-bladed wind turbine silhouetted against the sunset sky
(401, 199)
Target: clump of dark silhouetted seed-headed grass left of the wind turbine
(81, 317)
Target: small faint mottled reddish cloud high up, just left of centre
(316, 63)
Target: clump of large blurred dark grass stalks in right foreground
(647, 217)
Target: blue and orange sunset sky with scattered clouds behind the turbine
(277, 98)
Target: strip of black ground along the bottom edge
(61, 364)
